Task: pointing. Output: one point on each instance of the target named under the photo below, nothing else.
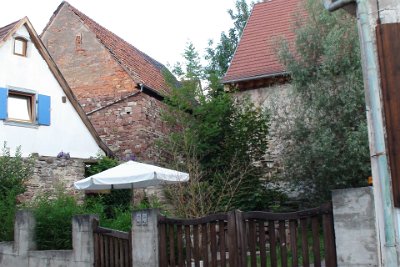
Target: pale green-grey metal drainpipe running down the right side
(373, 92)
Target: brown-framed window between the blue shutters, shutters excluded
(21, 107)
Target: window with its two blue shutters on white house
(24, 107)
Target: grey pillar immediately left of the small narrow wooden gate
(82, 239)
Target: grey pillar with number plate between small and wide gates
(145, 238)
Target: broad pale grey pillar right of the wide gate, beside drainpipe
(355, 228)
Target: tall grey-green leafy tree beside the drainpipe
(326, 143)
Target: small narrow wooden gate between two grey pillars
(112, 248)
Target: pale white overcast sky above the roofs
(160, 28)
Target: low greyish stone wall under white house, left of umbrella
(51, 174)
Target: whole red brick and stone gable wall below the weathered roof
(128, 127)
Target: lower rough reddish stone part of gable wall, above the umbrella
(131, 127)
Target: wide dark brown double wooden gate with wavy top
(250, 239)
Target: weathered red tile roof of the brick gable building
(141, 67)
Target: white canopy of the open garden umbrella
(129, 175)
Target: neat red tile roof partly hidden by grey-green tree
(255, 55)
